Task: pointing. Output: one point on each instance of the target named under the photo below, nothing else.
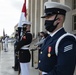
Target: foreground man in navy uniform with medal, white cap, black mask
(58, 52)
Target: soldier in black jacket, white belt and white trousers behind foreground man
(23, 47)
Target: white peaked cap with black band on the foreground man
(51, 8)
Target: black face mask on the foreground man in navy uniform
(49, 25)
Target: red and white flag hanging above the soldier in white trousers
(23, 15)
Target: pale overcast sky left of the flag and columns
(10, 11)
